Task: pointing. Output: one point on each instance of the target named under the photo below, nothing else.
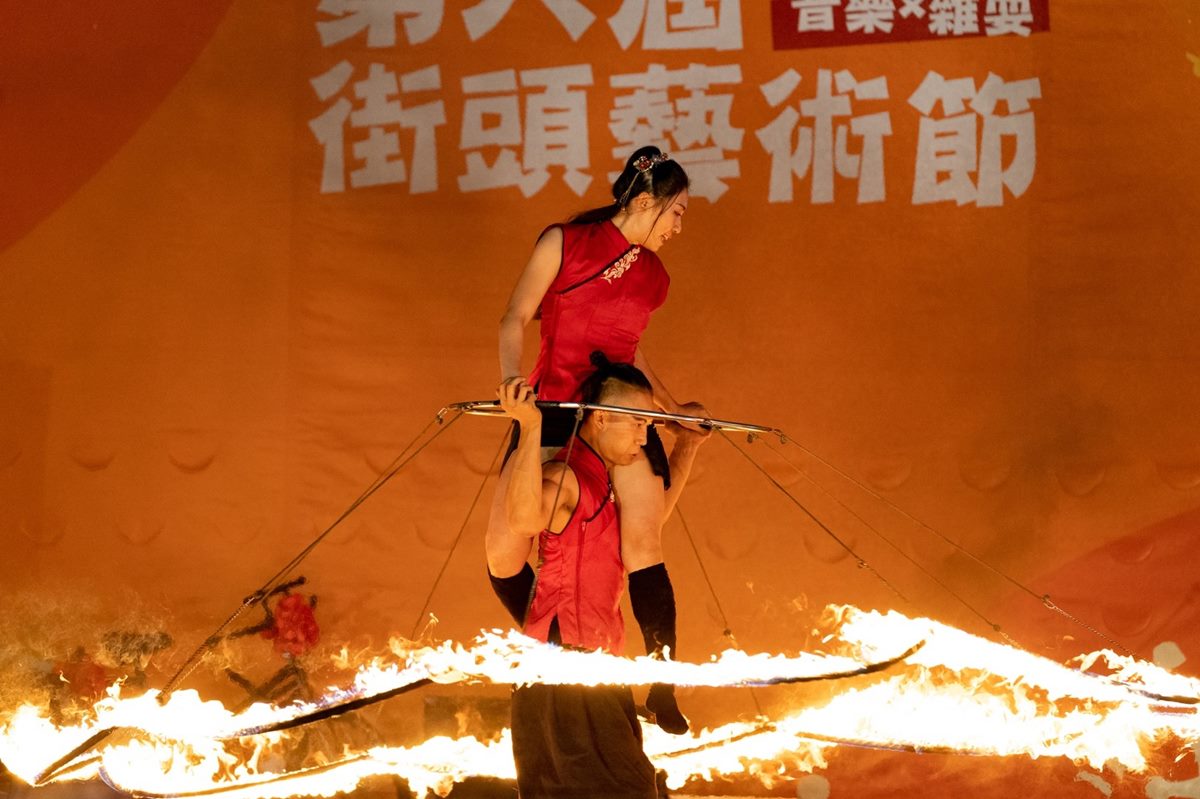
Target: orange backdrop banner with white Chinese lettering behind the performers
(249, 249)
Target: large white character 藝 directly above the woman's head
(695, 129)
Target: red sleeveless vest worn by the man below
(580, 574)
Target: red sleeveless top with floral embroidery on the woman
(602, 299)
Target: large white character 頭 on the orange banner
(555, 131)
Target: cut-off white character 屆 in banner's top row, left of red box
(680, 25)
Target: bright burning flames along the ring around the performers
(956, 694)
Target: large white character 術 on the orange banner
(824, 147)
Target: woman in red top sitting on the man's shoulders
(596, 281)
